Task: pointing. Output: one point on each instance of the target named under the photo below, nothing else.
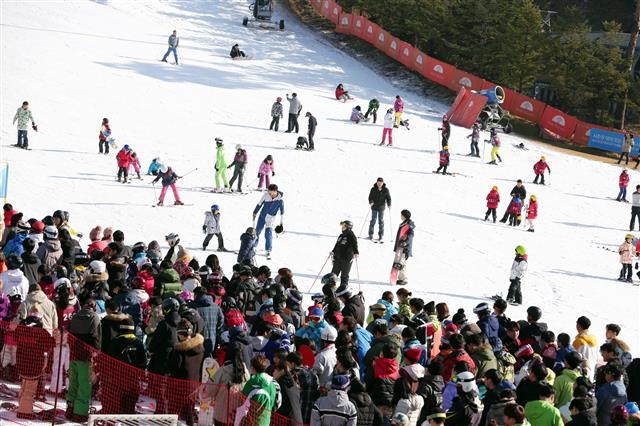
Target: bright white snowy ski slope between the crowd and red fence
(77, 62)
